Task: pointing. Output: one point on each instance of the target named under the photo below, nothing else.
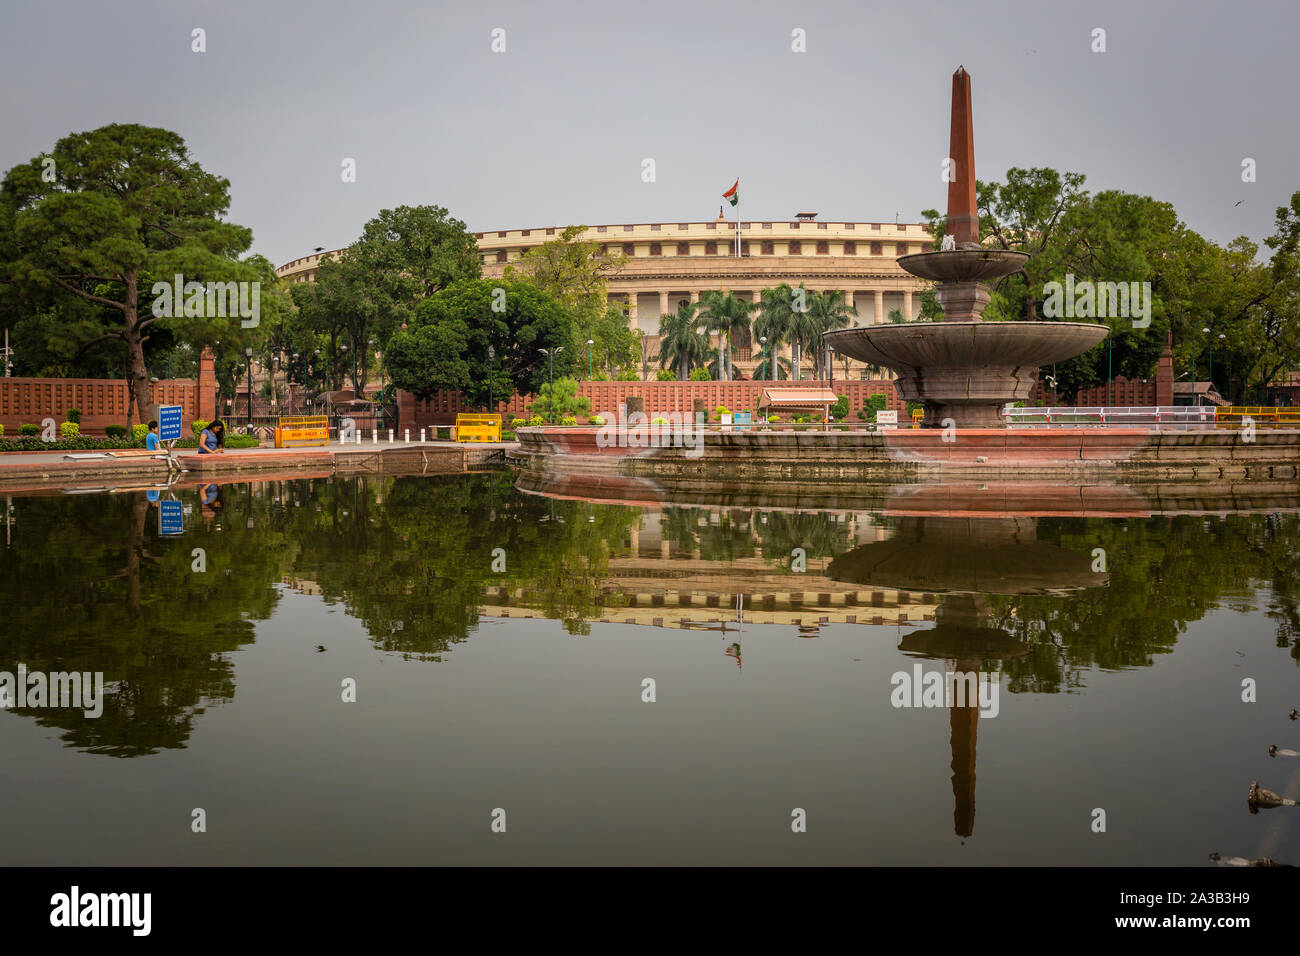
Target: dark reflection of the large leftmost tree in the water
(97, 590)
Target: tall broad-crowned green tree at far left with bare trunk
(124, 206)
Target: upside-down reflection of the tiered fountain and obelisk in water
(967, 560)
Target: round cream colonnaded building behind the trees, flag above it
(669, 263)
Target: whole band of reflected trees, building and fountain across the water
(89, 585)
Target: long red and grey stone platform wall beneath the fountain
(1067, 455)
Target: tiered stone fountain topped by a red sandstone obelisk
(964, 369)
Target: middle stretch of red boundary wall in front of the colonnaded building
(661, 397)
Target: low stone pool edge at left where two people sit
(53, 470)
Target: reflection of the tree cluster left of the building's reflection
(414, 569)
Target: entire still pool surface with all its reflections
(501, 642)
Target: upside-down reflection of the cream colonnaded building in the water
(662, 586)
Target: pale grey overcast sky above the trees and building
(554, 129)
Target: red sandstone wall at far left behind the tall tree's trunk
(102, 401)
